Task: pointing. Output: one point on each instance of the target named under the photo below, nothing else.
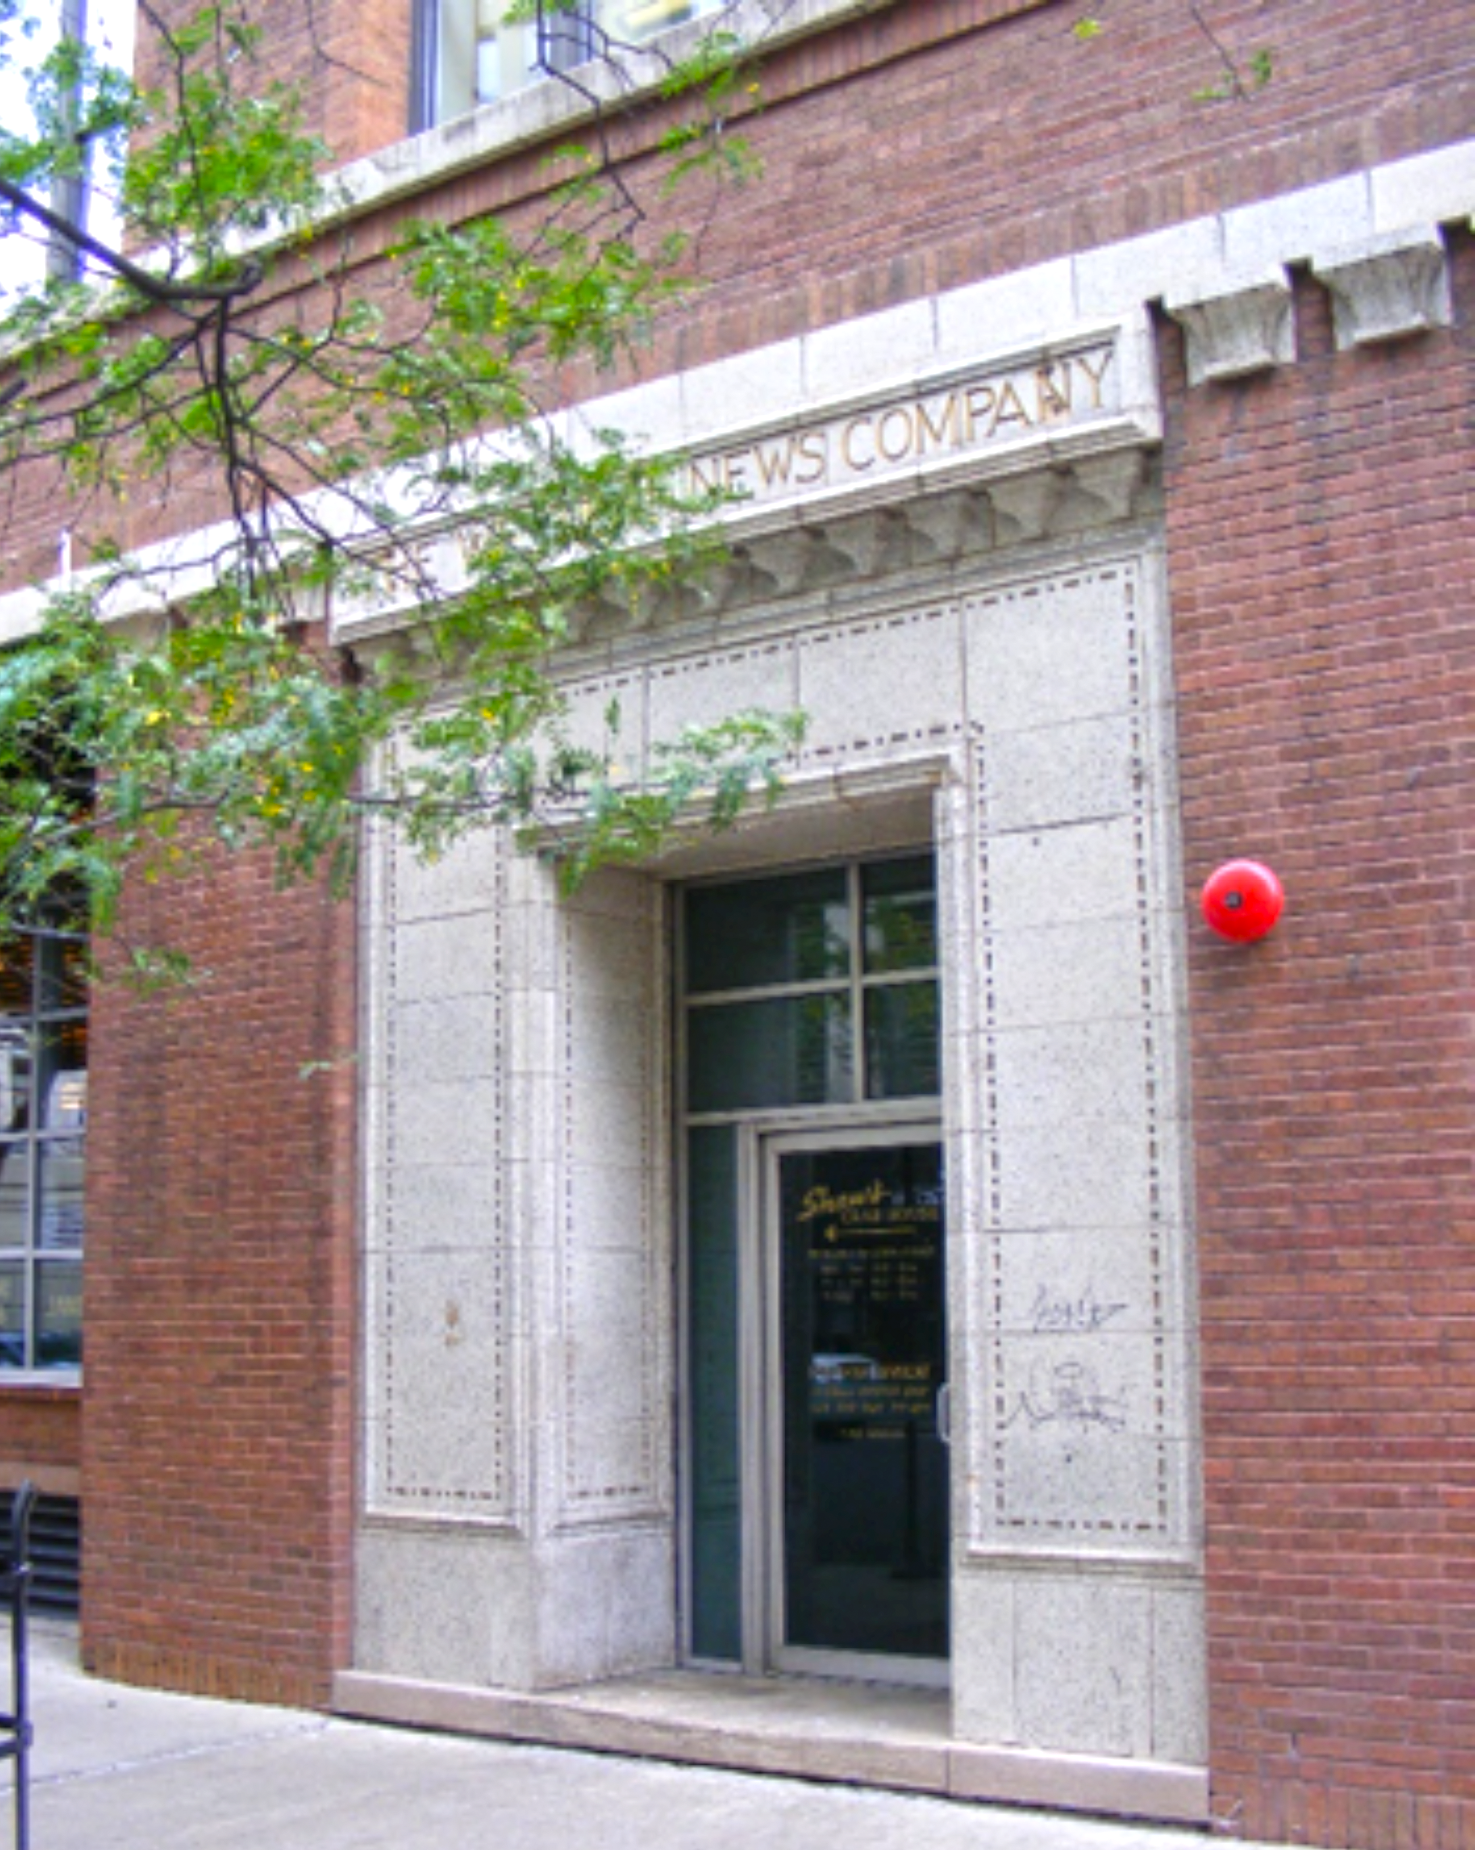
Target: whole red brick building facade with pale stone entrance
(404, 1381)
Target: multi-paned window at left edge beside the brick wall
(43, 1124)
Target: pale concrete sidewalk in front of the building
(136, 1770)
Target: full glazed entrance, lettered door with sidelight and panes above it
(813, 1474)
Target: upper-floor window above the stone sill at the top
(469, 53)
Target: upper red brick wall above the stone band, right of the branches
(934, 145)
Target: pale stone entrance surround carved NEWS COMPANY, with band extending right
(980, 635)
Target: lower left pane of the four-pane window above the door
(793, 1052)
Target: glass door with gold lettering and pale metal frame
(858, 1368)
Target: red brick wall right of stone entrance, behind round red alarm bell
(1320, 530)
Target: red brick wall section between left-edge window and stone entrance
(217, 1427)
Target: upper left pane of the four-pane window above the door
(795, 930)
